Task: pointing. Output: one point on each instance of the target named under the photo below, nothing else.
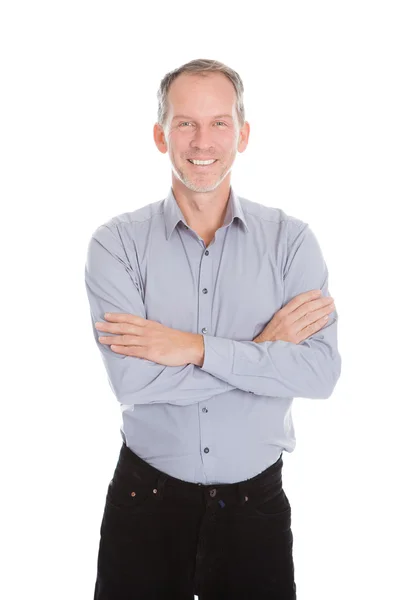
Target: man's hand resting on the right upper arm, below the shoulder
(298, 319)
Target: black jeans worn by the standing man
(162, 537)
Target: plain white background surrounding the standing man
(78, 105)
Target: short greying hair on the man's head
(200, 66)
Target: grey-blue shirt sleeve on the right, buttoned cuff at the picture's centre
(309, 369)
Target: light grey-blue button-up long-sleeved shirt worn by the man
(231, 418)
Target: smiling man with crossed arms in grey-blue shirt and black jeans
(220, 314)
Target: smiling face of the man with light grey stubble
(202, 124)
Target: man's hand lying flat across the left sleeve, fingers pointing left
(151, 340)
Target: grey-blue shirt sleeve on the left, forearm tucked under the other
(112, 286)
